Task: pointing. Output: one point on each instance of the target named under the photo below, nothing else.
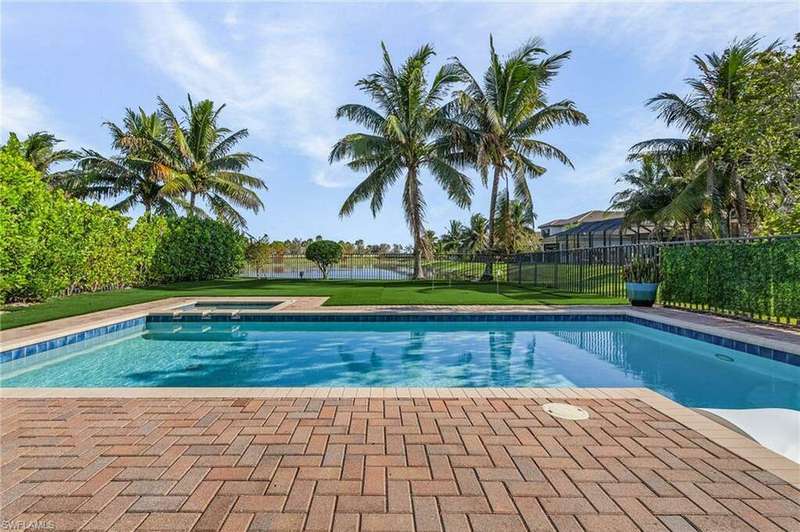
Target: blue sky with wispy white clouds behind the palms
(282, 68)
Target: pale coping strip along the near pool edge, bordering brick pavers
(725, 437)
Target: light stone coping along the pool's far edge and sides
(770, 338)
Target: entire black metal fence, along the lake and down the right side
(756, 278)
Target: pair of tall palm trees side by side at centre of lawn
(451, 123)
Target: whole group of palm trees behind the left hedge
(163, 161)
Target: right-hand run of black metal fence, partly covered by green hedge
(754, 278)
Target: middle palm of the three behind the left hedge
(136, 173)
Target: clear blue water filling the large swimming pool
(494, 354)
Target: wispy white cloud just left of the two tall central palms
(277, 85)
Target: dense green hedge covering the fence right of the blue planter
(758, 278)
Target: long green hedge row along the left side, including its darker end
(51, 245)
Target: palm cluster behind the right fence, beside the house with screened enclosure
(684, 183)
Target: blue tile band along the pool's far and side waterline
(744, 347)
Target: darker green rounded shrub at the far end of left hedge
(196, 249)
